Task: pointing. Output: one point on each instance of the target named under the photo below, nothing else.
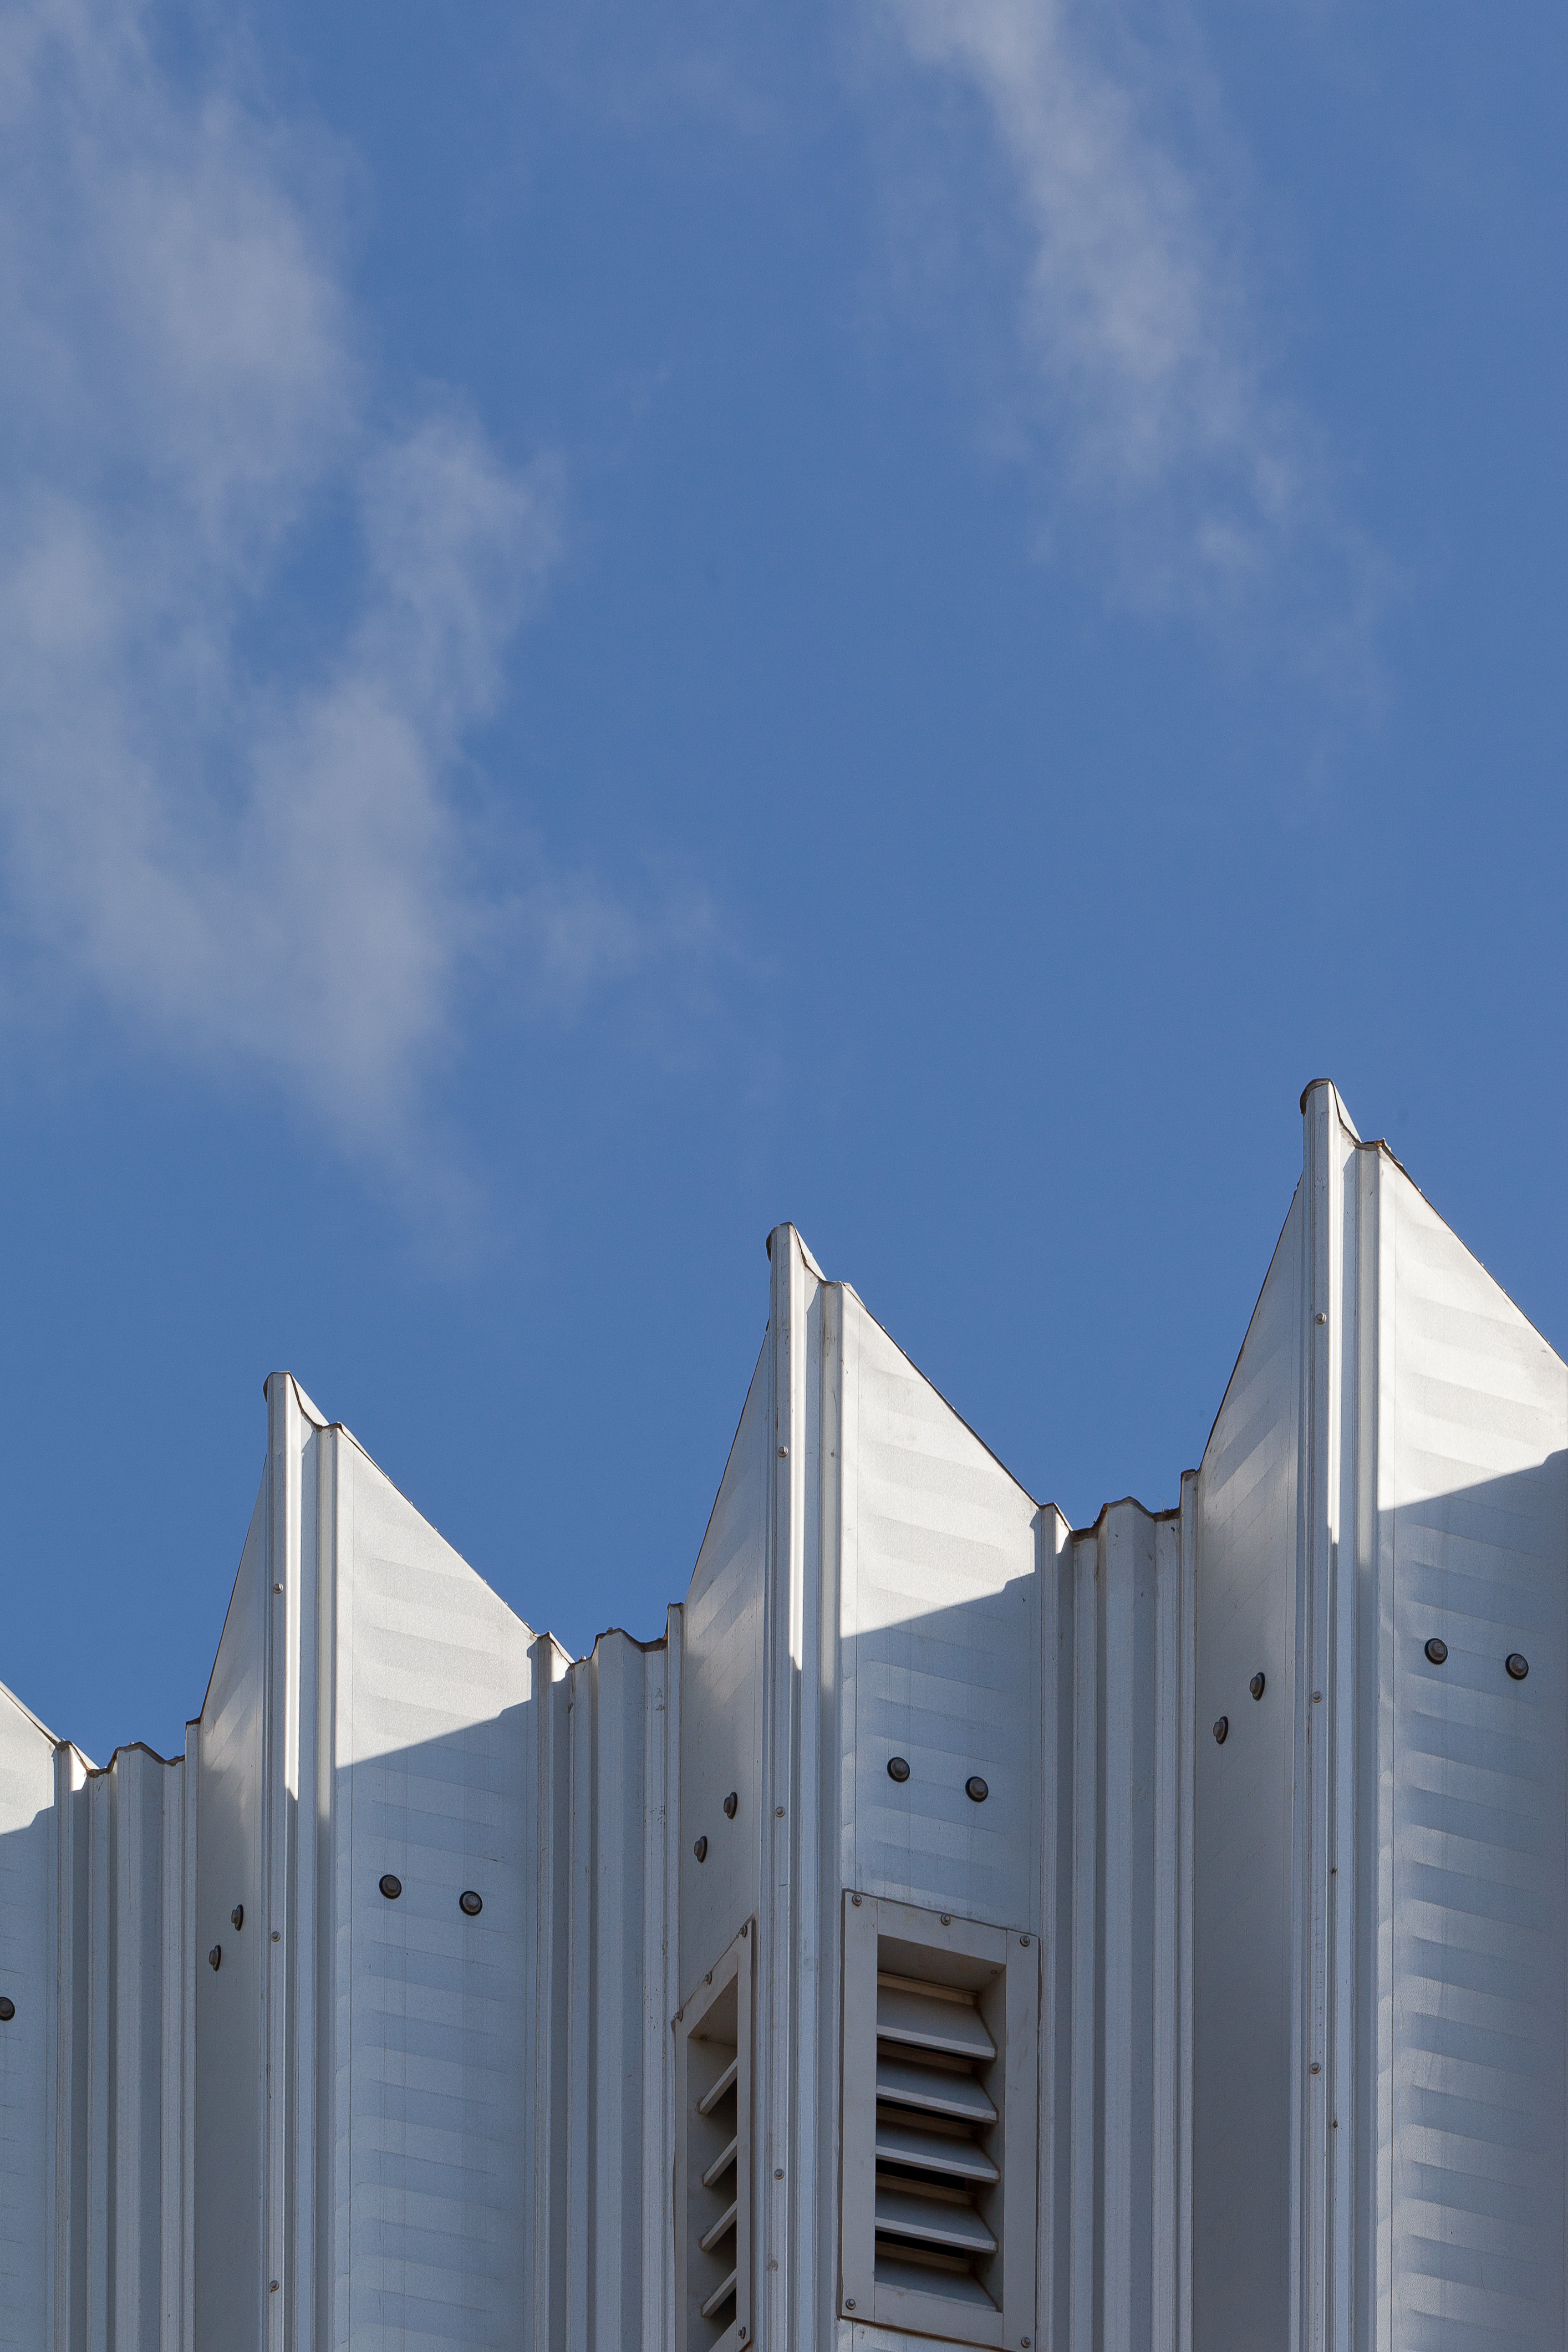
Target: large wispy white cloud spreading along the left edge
(253, 857)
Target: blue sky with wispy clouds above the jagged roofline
(624, 624)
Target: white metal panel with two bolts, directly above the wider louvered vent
(942, 1648)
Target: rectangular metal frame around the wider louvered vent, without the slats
(1003, 1970)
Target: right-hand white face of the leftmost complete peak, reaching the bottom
(431, 1786)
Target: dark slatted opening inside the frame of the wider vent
(937, 2141)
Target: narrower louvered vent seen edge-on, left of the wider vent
(713, 2038)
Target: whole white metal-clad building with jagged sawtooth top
(956, 1930)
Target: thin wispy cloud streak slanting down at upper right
(1141, 347)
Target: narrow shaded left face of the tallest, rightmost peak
(1247, 1553)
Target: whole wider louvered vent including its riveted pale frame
(942, 2116)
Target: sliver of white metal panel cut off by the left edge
(27, 1805)
